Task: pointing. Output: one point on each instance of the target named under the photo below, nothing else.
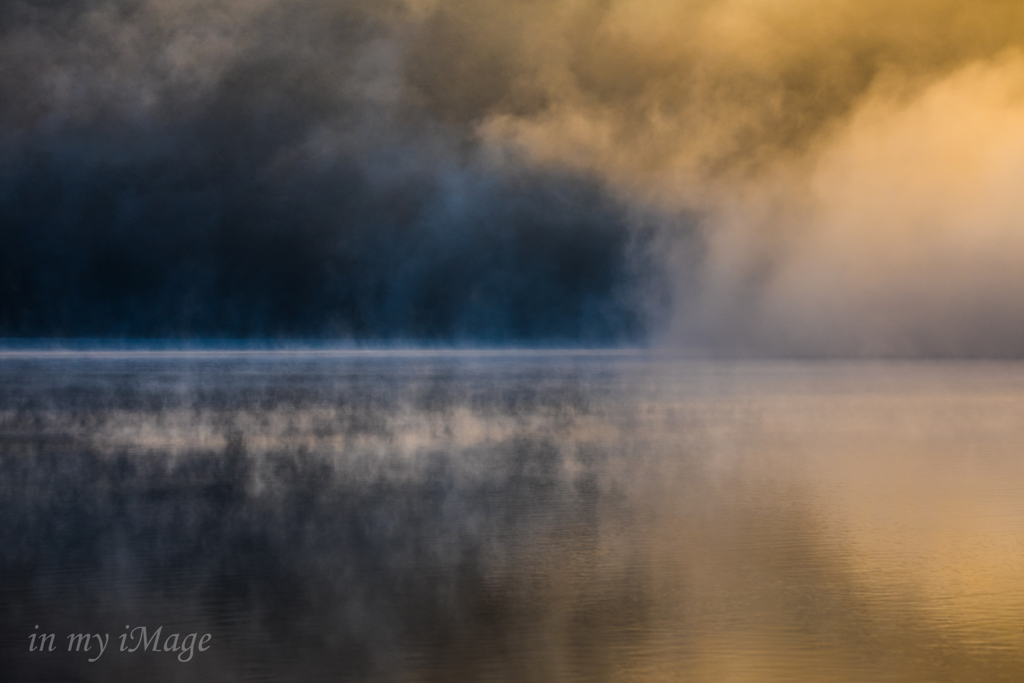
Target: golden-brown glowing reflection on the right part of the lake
(798, 524)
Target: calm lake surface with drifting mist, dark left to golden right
(504, 517)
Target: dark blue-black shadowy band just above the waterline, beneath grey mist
(156, 247)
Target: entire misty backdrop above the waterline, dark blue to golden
(742, 178)
